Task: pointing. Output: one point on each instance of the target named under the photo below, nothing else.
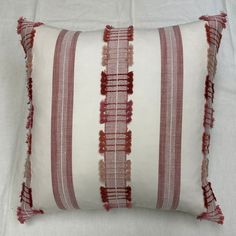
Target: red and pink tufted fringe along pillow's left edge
(26, 30)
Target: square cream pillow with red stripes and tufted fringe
(115, 124)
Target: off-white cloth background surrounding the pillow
(94, 15)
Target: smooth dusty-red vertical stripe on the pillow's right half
(170, 118)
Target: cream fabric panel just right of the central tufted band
(145, 123)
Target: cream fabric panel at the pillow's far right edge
(195, 70)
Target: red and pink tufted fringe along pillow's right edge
(214, 27)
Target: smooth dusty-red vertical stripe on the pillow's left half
(61, 120)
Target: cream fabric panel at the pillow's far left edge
(43, 55)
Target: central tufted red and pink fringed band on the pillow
(115, 114)
